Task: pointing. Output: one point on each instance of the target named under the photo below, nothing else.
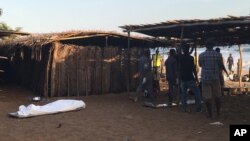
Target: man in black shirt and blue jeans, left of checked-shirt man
(189, 79)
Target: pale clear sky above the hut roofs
(43, 16)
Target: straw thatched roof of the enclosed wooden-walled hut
(95, 38)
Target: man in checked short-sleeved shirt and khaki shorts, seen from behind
(210, 62)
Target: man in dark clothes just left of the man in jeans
(171, 74)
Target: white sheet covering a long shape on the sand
(51, 108)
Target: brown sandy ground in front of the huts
(115, 117)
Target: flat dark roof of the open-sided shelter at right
(227, 31)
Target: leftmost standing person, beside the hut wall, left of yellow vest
(145, 76)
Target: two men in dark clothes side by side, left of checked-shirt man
(188, 77)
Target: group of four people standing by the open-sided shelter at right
(181, 69)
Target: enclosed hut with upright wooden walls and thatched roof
(75, 63)
